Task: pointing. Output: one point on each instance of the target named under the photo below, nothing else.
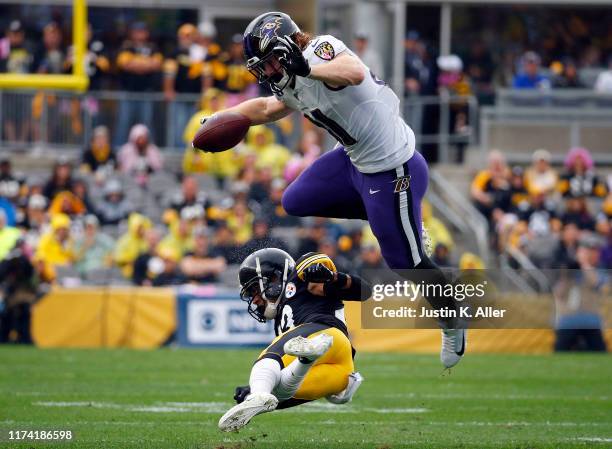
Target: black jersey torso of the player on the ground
(299, 306)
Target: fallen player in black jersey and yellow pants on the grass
(311, 357)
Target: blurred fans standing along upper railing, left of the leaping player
(195, 64)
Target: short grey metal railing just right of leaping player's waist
(444, 109)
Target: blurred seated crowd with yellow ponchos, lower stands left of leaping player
(122, 217)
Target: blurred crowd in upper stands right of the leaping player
(514, 47)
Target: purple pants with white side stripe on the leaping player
(333, 187)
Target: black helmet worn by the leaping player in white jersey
(260, 38)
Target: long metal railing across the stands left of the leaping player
(65, 120)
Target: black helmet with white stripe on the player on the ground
(264, 273)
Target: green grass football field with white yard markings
(173, 399)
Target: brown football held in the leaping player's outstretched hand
(221, 132)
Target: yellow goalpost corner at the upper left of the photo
(78, 81)
